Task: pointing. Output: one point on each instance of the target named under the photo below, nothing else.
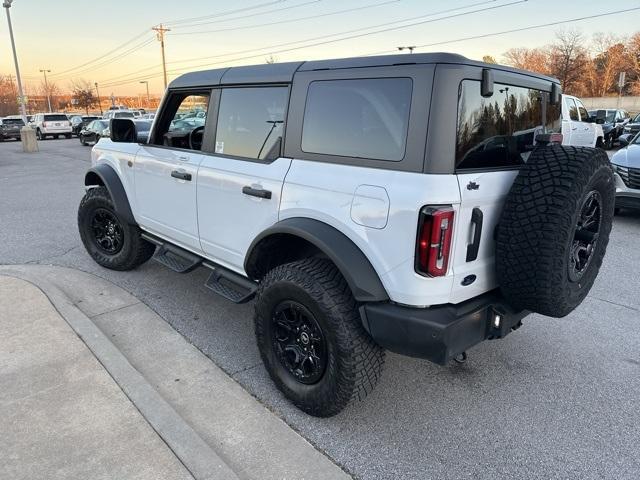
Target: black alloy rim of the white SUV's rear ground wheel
(298, 342)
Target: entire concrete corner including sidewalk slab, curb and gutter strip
(94, 384)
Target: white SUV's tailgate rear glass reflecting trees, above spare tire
(500, 131)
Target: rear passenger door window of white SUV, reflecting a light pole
(251, 122)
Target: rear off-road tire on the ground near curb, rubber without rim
(354, 361)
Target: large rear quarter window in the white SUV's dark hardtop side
(362, 118)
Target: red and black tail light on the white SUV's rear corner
(433, 245)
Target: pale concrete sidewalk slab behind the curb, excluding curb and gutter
(63, 416)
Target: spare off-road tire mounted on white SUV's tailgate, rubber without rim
(538, 225)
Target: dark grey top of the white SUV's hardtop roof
(284, 72)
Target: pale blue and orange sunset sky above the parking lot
(112, 43)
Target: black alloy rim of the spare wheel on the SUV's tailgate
(586, 235)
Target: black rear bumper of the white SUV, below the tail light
(442, 332)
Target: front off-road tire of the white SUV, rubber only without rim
(135, 250)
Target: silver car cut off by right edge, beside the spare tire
(626, 164)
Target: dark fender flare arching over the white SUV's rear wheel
(352, 263)
